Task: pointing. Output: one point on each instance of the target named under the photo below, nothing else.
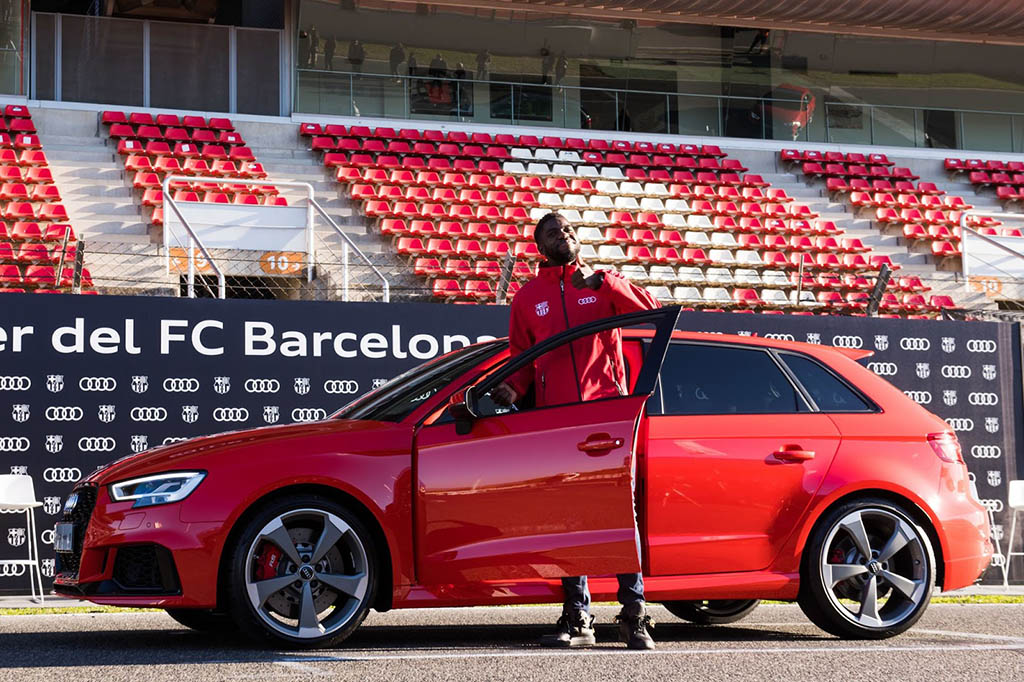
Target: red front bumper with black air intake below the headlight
(140, 558)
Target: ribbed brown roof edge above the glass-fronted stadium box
(971, 21)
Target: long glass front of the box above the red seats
(433, 63)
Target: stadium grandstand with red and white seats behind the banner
(859, 158)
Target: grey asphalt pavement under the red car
(776, 643)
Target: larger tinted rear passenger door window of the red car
(721, 380)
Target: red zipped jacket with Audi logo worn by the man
(589, 368)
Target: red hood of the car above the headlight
(190, 454)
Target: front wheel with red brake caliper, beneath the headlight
(303, 574)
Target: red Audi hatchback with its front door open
(737, 470)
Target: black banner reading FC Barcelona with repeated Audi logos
(86, 380)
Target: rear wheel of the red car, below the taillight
(868, 571)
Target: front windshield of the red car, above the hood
(399, 398)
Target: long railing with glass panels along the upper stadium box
(807, 119)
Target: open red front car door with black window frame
(534, 493)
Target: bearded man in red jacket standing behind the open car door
(568, 294)
